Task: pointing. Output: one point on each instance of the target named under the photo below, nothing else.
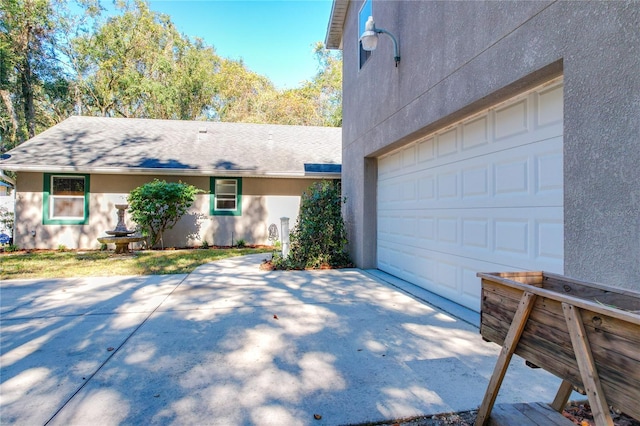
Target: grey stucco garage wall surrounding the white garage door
(461, 57)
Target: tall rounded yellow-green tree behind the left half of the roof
(137, 64)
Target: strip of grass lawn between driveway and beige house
(64, 264)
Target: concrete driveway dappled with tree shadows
(231, 345)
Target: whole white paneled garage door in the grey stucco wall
(483, 195)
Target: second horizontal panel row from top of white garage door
(532, 178)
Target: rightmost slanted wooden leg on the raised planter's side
(587, 366)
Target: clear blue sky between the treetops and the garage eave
(273, 38)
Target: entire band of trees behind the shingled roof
(135, 63)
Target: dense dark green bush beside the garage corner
(319, 238)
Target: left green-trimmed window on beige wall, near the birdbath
(65, 199)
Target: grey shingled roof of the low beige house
(143, 146)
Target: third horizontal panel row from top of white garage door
(516, 235)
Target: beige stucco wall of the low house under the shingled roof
(264, 202)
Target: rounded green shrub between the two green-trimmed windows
(157, 206)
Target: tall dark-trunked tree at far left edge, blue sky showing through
(35, 90)
